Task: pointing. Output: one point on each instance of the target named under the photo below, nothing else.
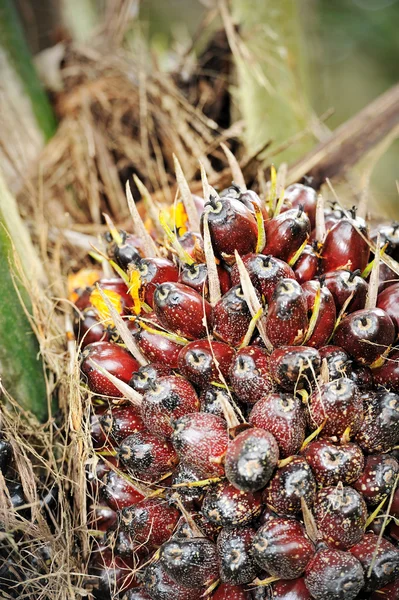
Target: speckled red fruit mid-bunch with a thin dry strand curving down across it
(202, 360)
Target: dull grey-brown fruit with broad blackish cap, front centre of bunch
(251, 459)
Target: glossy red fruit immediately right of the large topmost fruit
(286, 233)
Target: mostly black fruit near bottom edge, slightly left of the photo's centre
(190, 562)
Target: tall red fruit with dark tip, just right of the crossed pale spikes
(287, 319)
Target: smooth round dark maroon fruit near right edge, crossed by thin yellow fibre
(366, 334)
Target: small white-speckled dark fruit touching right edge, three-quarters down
(378, 478)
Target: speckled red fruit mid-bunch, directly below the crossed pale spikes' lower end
(250, 374)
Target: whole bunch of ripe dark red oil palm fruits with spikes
(245, 403)
